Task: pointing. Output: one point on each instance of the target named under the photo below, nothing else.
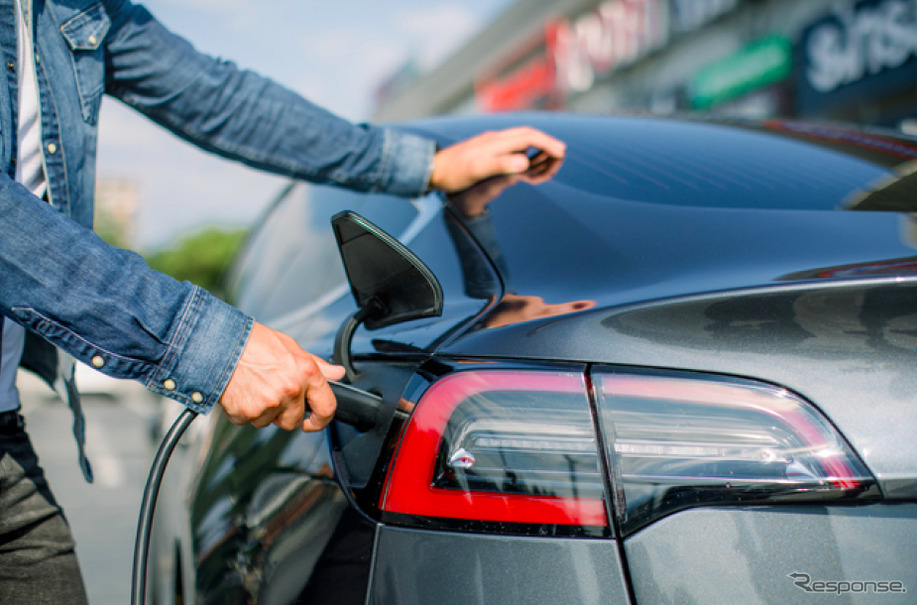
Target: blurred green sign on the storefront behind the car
(761, 63)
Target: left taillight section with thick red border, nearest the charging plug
(501, 446)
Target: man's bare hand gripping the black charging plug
(276, 381)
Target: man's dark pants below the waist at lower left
(37, 558)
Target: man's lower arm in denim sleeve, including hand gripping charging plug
(105, 307)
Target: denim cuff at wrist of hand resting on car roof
(408, 164)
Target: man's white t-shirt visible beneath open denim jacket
(29, 172)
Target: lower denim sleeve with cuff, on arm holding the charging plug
(106, 308)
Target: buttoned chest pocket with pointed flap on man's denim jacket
(84, 34)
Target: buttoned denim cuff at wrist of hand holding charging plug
(208, 343)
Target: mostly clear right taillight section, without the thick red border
(678, 442)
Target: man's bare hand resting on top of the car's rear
(460, 166)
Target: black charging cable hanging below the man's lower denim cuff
(148, 504)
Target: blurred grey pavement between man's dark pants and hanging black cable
(103, 515)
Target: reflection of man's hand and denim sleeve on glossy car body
(471, 206)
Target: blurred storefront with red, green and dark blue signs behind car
(850, 60)
